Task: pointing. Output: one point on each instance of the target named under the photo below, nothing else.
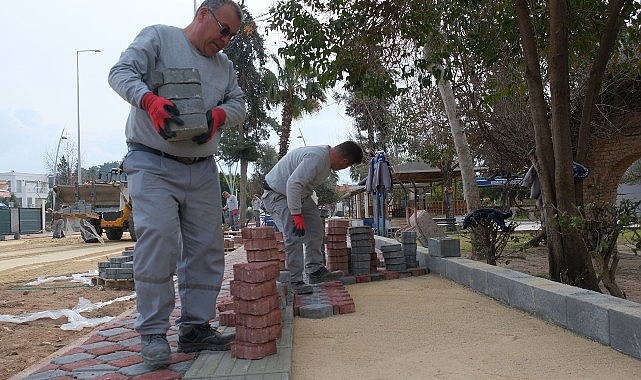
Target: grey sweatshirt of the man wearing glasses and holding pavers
(159, 47)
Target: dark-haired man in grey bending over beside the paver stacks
(288, 198)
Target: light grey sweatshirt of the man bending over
(298, 173)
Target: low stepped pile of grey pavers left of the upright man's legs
(118, 272)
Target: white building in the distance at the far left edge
(31, 189)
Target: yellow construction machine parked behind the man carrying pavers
(101, 205)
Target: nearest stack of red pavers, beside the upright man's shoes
(257, 308)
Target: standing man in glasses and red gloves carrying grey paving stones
(174, 185)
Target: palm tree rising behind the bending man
(296, 93)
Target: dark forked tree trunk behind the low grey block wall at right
(568, 257)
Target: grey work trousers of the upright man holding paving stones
(177, 213)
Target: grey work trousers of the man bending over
(297, 260)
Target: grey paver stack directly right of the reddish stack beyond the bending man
(363, 259)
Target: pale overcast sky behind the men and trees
(39, 71)
